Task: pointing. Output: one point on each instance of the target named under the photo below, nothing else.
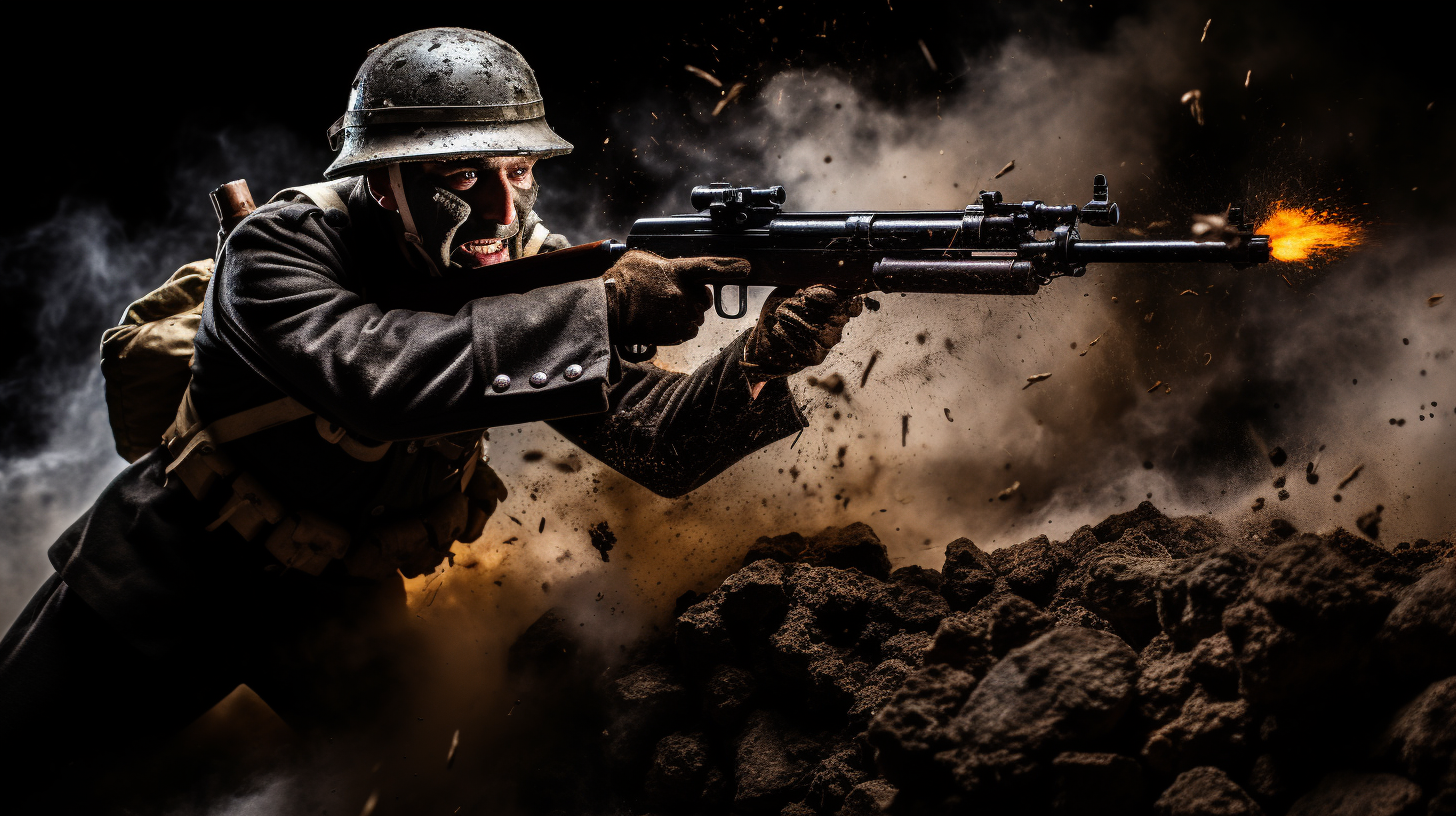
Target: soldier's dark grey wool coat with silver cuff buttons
(296, 308)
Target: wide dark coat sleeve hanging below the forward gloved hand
(672, 432)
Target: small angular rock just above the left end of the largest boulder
(975, 640)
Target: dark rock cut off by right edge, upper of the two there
(1419, 637)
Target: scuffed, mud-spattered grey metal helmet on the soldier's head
(442, 94)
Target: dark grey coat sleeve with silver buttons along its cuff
(282, 302)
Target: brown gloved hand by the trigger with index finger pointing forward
(656, 301)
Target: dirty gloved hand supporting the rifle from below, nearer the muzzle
(797, 330)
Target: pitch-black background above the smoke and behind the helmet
(107, 109)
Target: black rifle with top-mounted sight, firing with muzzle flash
(994, 247)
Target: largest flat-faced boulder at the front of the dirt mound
(1061, 690)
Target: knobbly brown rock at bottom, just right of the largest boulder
(1206, 732)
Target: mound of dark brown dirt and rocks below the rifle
(1145, 665)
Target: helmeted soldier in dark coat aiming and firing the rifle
(330, 442)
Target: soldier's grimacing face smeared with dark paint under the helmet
(499, 190)
